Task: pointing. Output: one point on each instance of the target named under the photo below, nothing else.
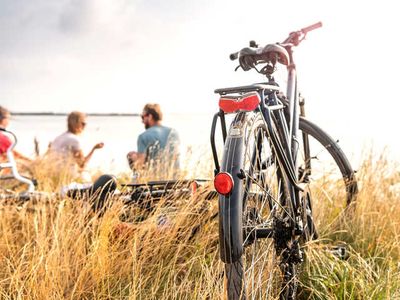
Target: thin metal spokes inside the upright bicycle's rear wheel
(264, 200)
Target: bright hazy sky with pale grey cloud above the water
(116, 55)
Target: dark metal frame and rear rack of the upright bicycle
(284, 138)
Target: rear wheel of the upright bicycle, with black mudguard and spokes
(256, 236)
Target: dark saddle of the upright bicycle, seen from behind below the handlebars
(249, 57)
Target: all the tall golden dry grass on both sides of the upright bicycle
(56, 248)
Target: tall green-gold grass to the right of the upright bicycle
(371, 233)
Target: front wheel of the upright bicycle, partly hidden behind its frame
(331, 181)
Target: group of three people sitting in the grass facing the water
(157, 143)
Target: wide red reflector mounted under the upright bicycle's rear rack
(247, 102)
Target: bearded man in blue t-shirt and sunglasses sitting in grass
(157, 143)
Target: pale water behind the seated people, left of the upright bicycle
(119, 134)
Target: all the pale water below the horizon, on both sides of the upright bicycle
(119, 133)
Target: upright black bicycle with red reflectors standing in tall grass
(270, 183)
